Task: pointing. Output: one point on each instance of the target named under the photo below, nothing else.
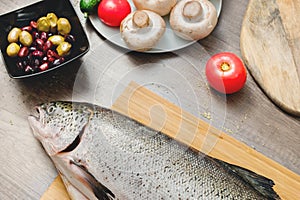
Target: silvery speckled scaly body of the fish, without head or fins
(135, 162)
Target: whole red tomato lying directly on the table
(226, 73)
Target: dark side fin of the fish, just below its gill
(100, 191)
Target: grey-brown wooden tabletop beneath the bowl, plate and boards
(99, 77)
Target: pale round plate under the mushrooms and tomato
(168, 42)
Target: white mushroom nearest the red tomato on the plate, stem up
(142, 29)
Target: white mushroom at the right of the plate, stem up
(193, 19)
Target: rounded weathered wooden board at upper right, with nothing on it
(270, 45)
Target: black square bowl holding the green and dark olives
(23, 16)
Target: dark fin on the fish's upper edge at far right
(260, 183)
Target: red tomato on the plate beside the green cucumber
(112, 12)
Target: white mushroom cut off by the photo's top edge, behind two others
(161, 7)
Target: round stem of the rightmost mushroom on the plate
(192, 10)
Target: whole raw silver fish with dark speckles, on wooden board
(101, 154)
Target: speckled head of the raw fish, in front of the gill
(57, 124)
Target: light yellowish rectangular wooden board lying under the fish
(150, 109)
